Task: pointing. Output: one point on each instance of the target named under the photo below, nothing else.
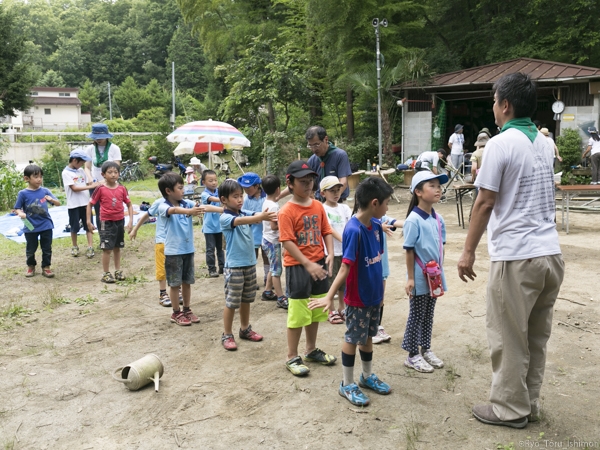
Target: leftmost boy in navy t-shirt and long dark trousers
(32, 207)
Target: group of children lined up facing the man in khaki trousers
(328, 251)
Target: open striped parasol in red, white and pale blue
(210, 132)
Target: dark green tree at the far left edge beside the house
(16, 78)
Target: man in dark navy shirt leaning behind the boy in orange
(327, 159)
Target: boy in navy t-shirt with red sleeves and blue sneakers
(362, 271)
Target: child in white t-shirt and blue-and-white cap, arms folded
(77, 187)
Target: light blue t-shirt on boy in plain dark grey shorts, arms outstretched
(179, 231)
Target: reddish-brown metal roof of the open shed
(539, 70)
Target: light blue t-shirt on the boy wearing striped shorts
(240, 243)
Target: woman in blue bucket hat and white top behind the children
(99, 152)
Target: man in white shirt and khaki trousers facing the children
(516, 204)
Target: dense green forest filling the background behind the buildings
(271, 67)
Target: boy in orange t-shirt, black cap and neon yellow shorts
(303, 226)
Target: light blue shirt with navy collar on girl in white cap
(421, 235)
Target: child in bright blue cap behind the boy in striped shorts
(254, 200)
